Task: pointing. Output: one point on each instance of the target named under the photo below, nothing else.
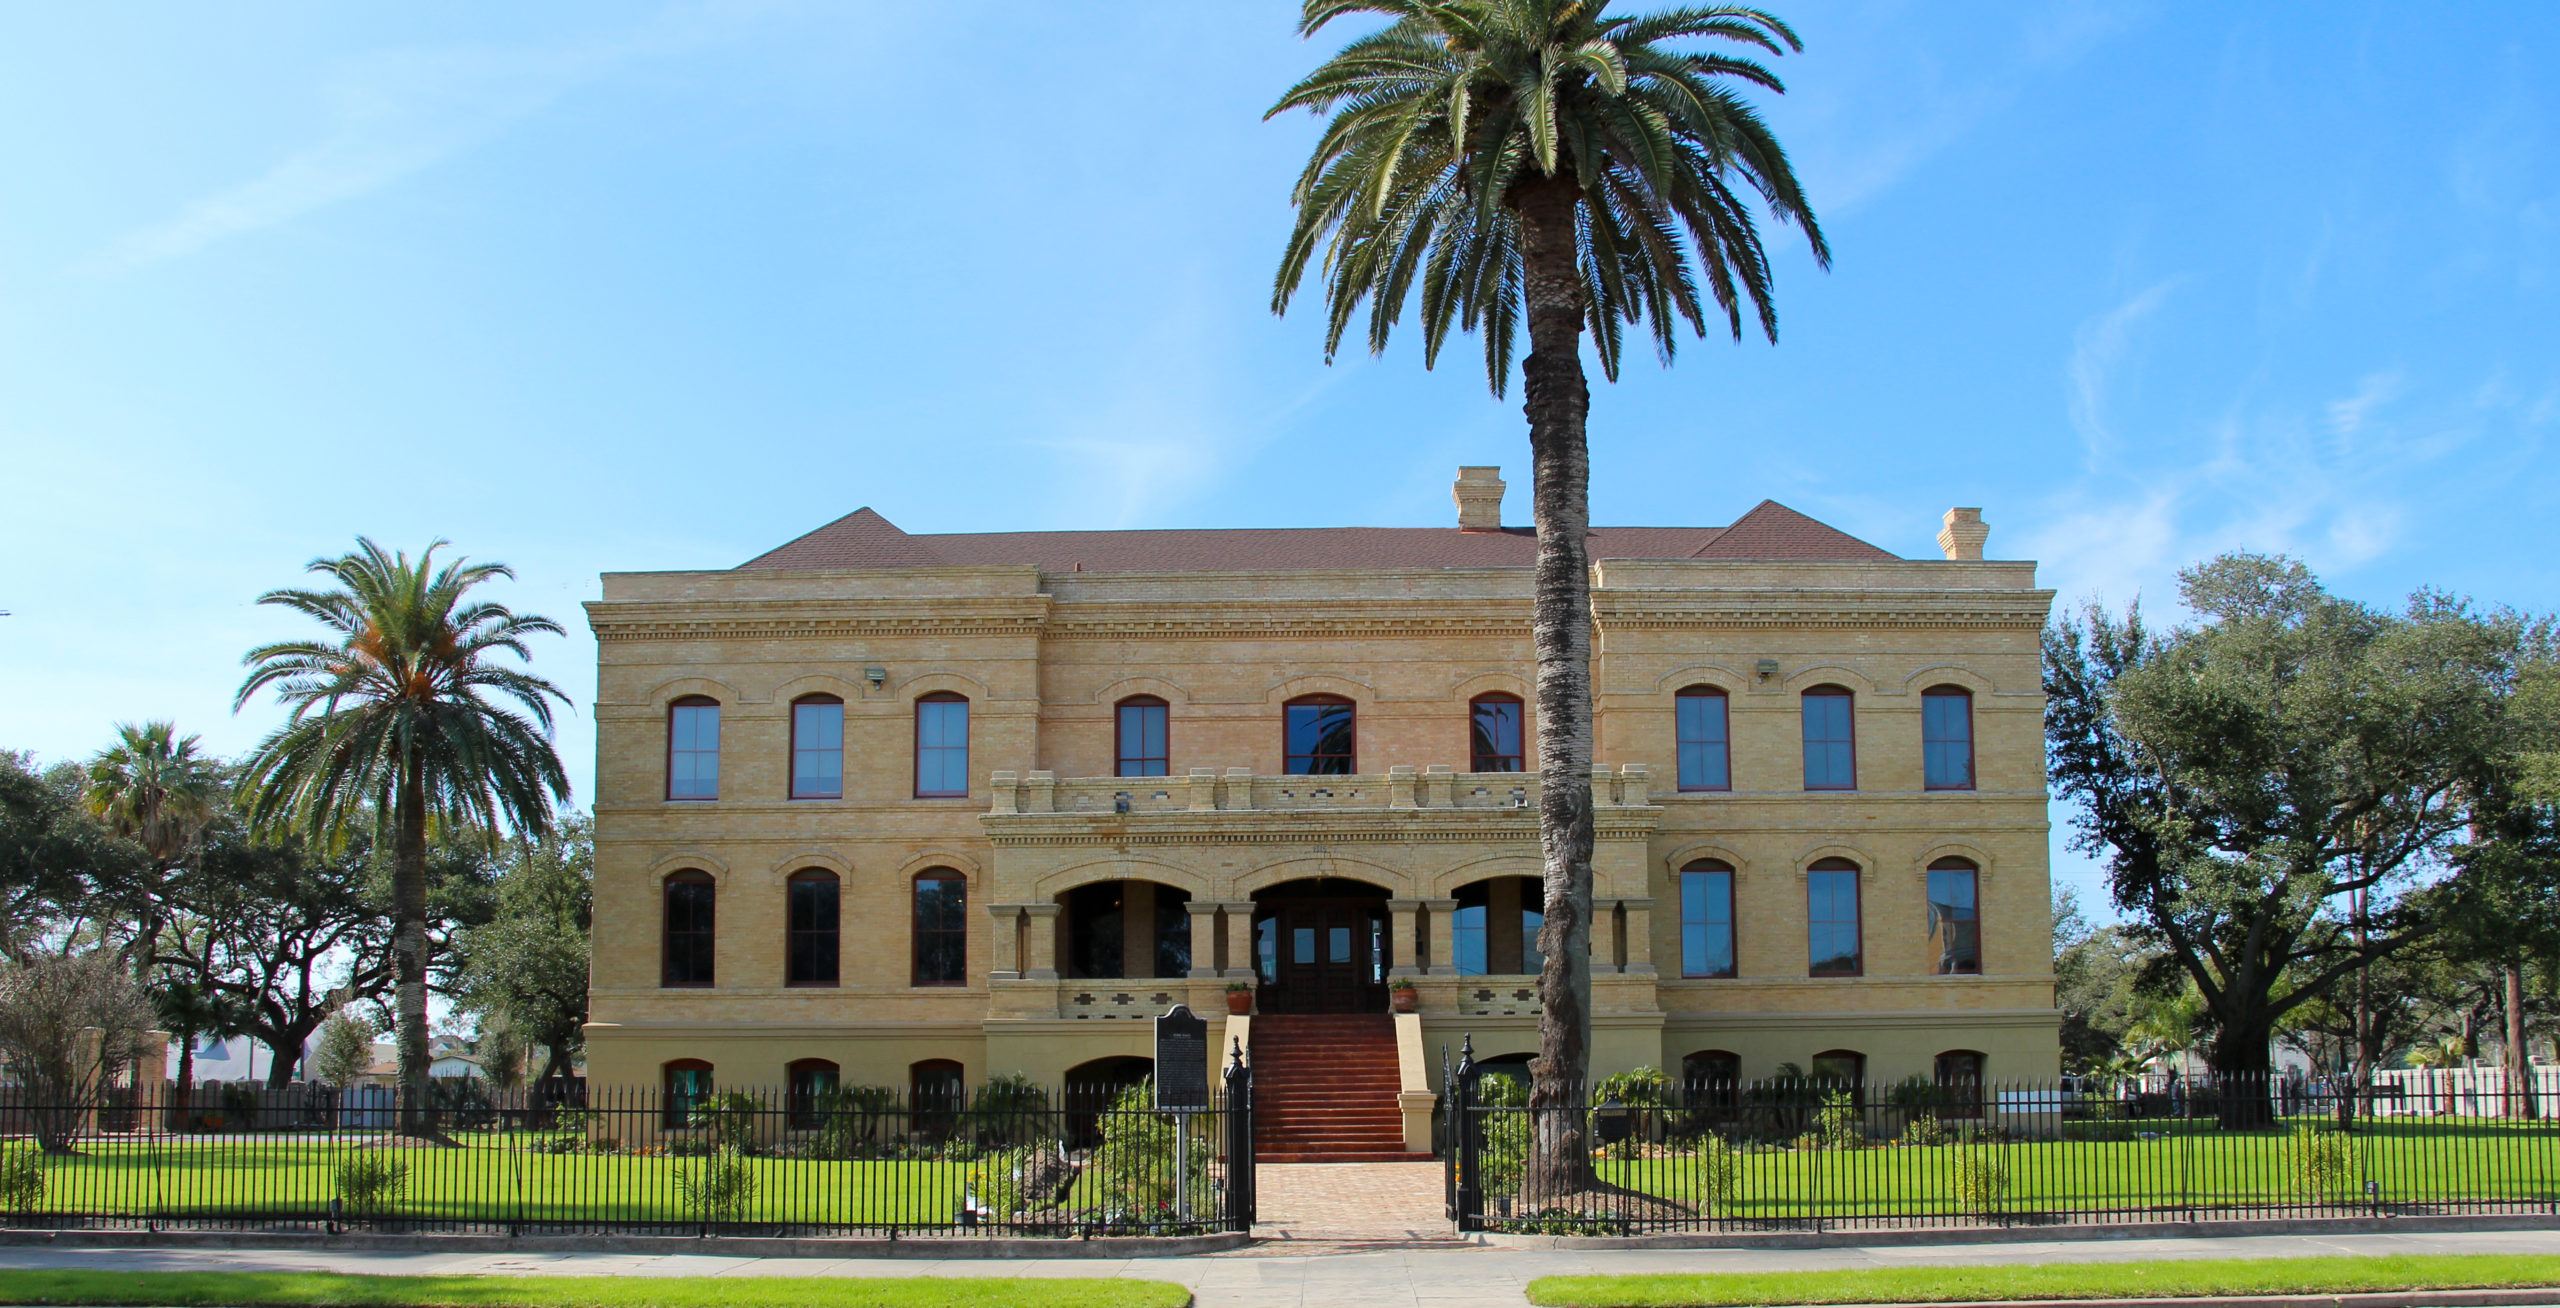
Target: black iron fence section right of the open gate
(1811, 1156)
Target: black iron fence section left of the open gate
(995, 1161)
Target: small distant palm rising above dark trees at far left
(155, 790)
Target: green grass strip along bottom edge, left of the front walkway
(332, 1289)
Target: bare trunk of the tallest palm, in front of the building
(1558, 403)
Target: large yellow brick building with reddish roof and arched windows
(908, 810)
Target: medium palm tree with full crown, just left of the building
(393, 723)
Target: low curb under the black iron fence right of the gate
(2042, 1235)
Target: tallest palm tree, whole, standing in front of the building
(1548, 163)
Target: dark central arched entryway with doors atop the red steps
(1322, 948)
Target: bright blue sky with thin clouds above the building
(600, 288)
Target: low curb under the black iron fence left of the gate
(641, 1245)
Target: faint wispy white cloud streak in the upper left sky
(390, 116)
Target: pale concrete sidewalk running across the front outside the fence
(1312, 1273)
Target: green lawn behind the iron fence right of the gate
(2408, 1161)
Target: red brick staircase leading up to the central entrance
(1325, 1089)
